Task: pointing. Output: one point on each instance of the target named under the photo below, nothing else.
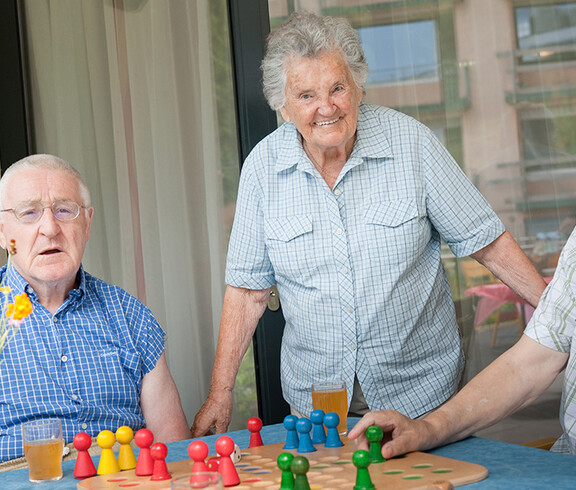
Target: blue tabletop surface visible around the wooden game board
(510, 466)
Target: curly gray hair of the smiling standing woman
(306, 34)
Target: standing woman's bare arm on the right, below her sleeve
(508, 262)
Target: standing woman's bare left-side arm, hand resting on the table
(240, 314)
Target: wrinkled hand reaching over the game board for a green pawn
(401, 434)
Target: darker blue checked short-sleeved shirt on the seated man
(83, 365)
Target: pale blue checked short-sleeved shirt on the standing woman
(358, 267)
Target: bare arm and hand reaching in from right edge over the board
(510, 383)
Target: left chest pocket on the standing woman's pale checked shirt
(290, 246)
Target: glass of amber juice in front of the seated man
(43, 447)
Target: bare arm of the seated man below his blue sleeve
(161, 406)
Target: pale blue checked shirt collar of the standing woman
(371, 142)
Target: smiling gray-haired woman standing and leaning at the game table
(343, 207)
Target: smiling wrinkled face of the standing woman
(322, 100)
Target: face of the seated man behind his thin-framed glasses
(49, 252)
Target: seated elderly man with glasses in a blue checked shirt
(89, 353)
